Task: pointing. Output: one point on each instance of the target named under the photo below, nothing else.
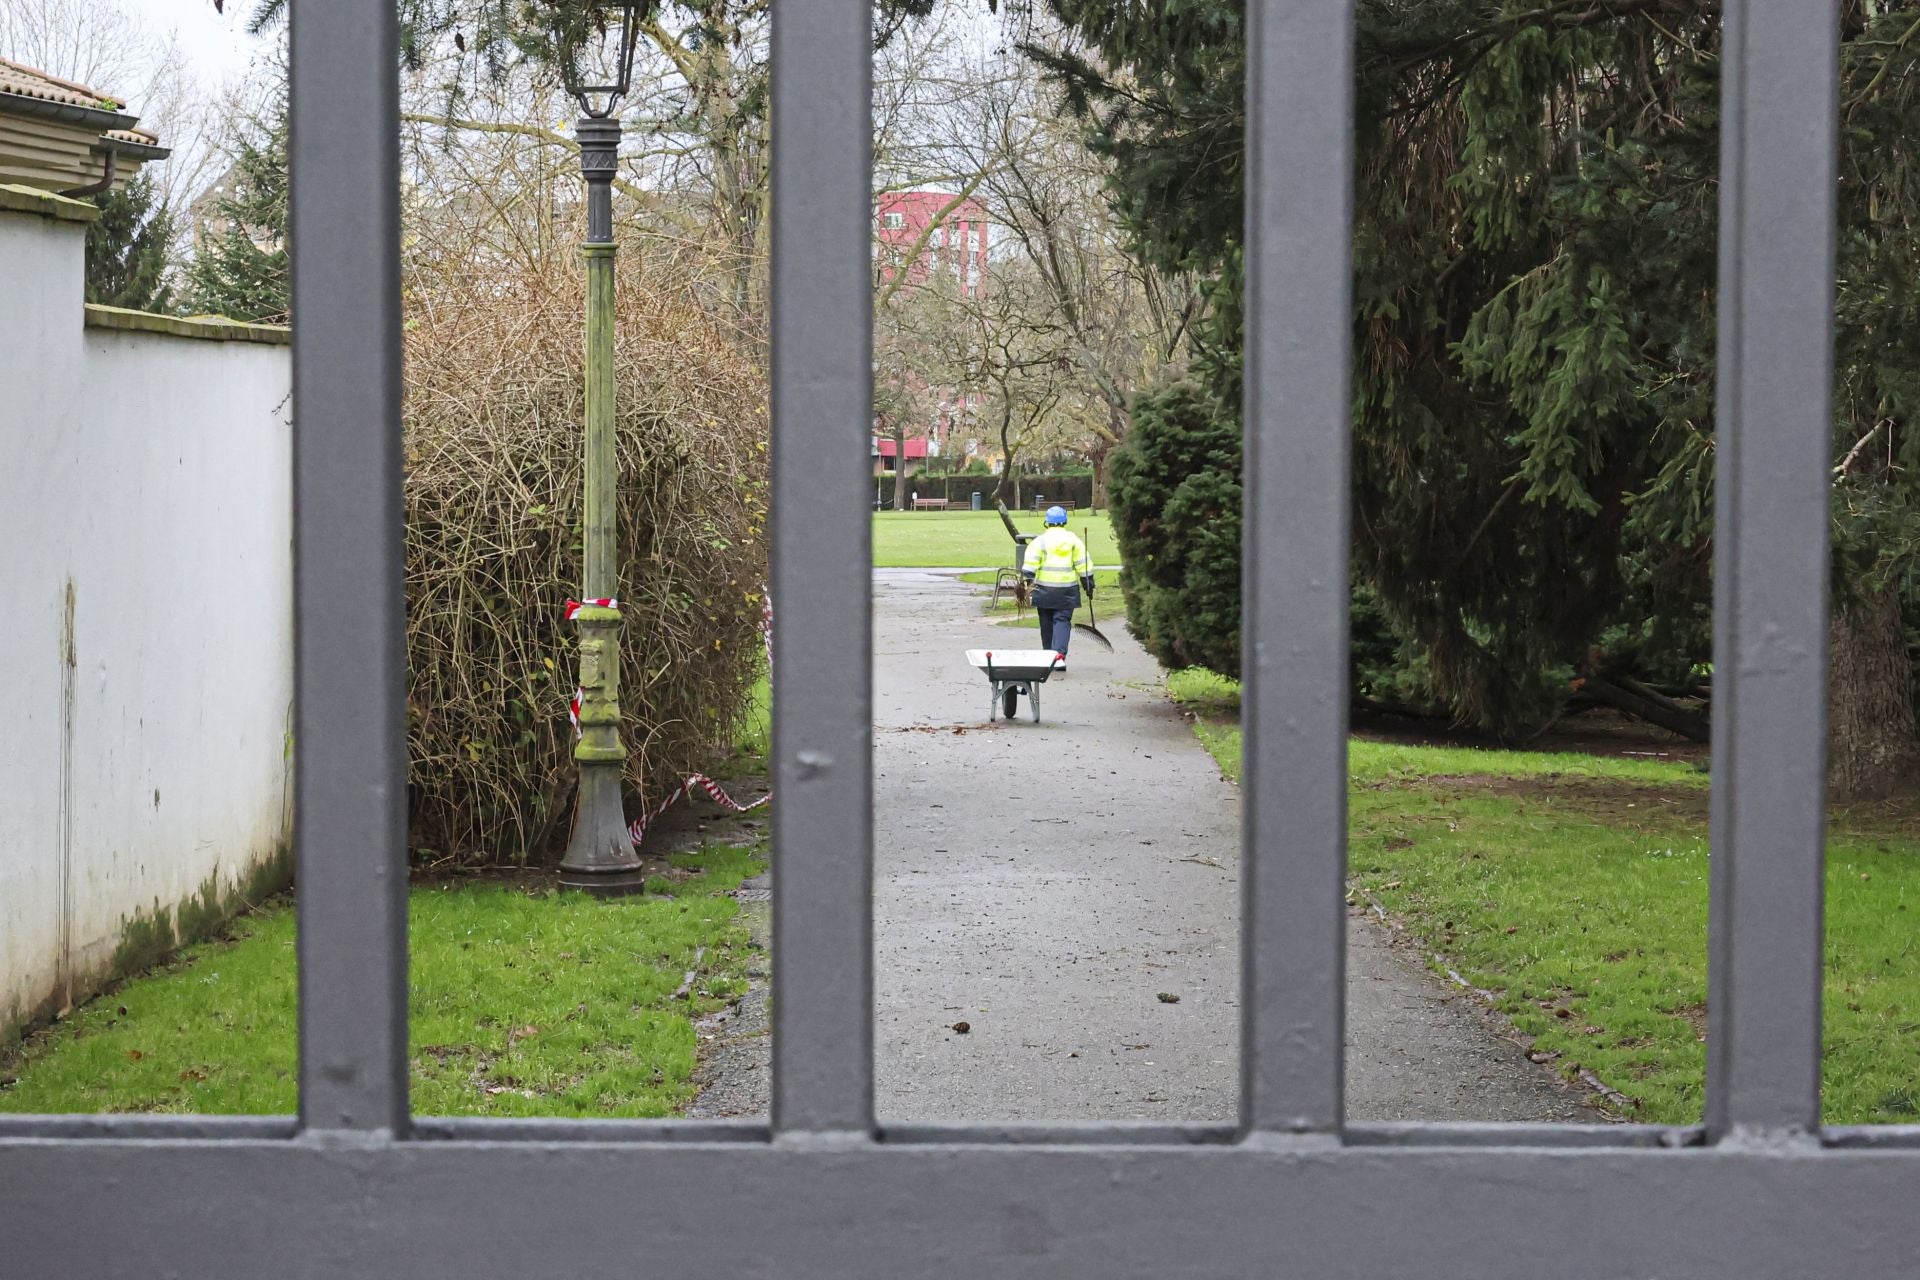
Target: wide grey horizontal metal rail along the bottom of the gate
(965, 1212)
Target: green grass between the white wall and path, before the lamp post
(523, 1003)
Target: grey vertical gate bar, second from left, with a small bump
(823, 579)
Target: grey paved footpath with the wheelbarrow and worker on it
(1047, 884)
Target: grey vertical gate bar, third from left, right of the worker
(1295, 561)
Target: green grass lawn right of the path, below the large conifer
(1575, 891)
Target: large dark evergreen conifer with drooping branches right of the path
(1535, 333)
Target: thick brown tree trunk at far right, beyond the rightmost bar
(1873, 740)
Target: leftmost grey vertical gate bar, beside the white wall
(350, 746)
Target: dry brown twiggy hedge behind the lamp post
(494, 412)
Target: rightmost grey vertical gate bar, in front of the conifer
(1771, 563)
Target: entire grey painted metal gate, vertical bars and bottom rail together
(356, 1187)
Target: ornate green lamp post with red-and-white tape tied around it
(598, 64)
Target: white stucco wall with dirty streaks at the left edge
(151, 477)
